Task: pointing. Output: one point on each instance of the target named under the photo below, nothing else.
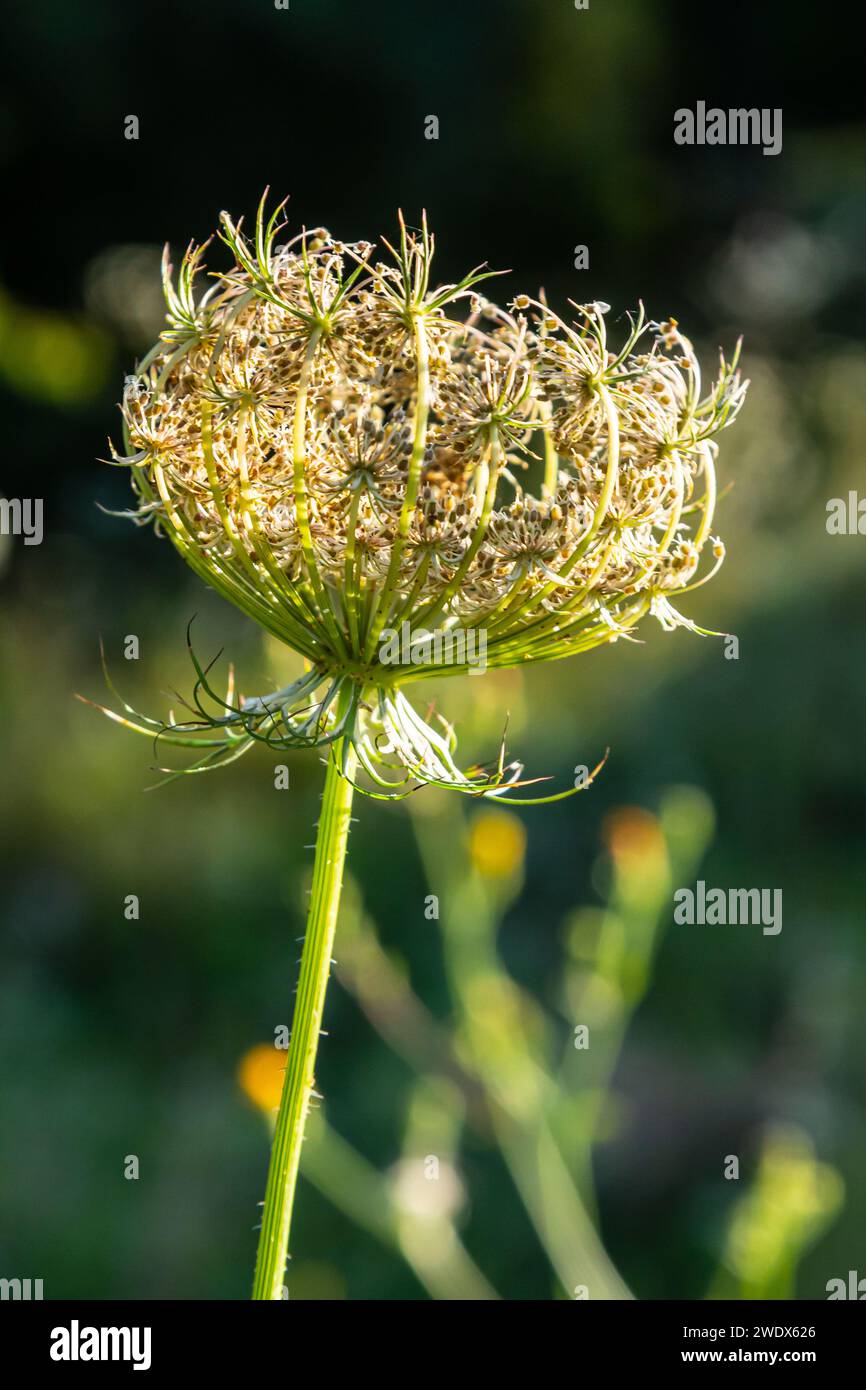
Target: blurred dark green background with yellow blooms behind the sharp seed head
(448, 1039)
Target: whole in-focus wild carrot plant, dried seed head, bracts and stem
(340, 448)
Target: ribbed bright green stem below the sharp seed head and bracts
(307, 1025)
